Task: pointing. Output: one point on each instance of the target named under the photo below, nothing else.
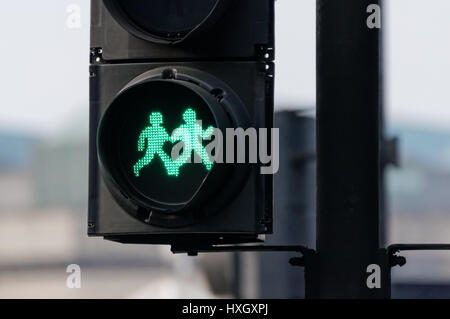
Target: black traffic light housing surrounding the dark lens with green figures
(226, 58)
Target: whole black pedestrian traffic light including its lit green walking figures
(166, 77)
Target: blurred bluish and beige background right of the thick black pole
(419, 205)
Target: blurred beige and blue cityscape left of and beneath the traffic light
(43, 211)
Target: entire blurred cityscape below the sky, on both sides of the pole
(43, 216)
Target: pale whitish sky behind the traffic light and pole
(44, 65)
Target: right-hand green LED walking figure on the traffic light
(192, 135)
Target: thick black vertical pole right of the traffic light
(348, 102)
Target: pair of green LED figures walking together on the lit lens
(153, 138)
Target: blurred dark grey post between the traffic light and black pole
(294, 210)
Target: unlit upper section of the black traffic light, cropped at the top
(236, 30)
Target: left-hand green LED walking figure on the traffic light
(152, 140)
